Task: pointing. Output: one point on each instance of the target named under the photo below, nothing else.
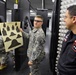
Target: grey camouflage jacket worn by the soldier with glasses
(36, 44)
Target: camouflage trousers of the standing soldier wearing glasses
(34, 69)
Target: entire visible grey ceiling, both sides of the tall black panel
(47, 4)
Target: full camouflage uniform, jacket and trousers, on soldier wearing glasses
(35, 50)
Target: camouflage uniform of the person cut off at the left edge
(3, 55)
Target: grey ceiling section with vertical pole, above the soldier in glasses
(47, 4)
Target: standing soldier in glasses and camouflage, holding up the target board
(35, 50)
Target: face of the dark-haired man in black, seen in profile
(68, 20)
